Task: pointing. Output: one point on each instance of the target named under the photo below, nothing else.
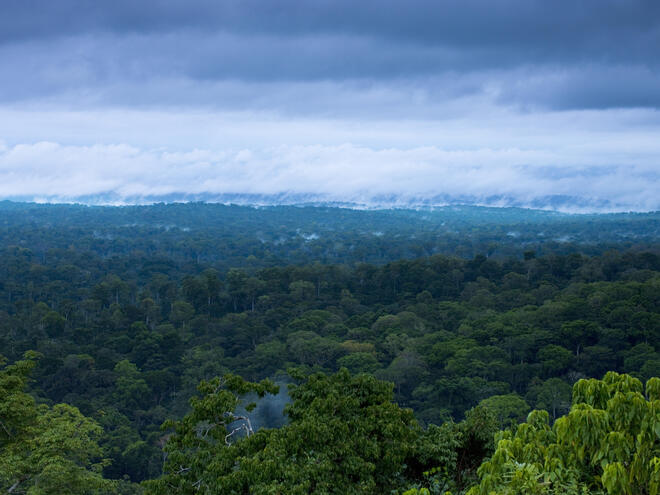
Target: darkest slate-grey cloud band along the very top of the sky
(609, 27)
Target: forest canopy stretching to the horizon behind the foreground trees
(132, 307)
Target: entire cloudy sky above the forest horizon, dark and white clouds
(535, 103)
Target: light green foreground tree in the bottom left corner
(45, 450)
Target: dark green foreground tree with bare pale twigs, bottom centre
(344, 436)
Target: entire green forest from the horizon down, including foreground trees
(327, 350)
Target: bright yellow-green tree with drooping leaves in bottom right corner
(609, 442)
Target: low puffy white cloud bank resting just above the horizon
(47, 171)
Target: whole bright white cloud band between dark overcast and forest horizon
(599, 160)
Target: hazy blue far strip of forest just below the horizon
(231, 235)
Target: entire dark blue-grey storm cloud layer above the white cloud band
(514, 51)
